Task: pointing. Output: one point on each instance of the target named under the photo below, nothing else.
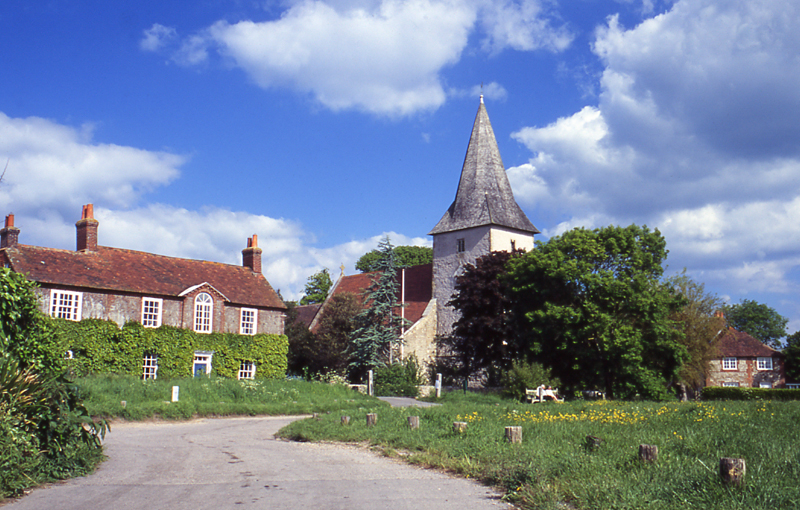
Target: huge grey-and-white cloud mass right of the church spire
(695, 133)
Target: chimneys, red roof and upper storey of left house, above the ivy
(125, 285)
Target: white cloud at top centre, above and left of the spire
(382, 57)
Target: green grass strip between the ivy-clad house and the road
(214, 396)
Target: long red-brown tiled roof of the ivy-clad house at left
(120, 270)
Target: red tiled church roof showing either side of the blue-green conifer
(418, 288)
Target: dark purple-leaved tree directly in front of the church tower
(483, 337)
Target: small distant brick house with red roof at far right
(746, 362)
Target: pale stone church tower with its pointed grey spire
(484, 217)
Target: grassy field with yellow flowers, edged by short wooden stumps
(555, 467)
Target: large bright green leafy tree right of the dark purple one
(591, 305)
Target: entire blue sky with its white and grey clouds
(323, 125)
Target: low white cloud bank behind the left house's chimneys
(116, 178)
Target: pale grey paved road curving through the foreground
(236, 463)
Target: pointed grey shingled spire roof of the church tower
(484, 195)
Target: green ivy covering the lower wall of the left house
(100, 346)
